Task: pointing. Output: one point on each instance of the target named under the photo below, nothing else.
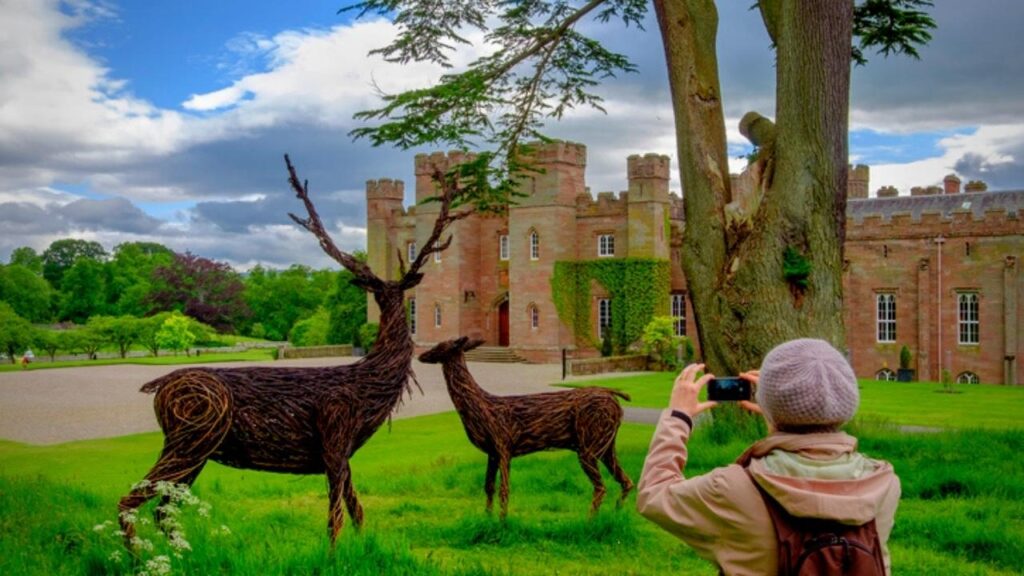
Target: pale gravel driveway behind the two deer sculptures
(68, 404)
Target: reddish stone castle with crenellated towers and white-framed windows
(936, 271)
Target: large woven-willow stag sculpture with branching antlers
(295, 421)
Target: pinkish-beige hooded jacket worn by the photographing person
(721, 515)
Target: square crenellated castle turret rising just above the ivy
(649, 207)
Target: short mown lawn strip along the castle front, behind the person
(922, 404)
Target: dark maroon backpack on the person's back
(816, 547)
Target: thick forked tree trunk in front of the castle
(735, 248)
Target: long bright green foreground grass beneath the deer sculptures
(421, 486)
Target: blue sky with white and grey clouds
(135, 120)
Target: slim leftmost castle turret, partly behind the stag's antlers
(385, 199)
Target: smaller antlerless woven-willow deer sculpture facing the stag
(584, 421)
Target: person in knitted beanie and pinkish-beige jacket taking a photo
(806, 392)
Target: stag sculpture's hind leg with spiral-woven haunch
(195, 414)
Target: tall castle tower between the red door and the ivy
(542, 230)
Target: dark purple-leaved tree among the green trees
(201, 289)
